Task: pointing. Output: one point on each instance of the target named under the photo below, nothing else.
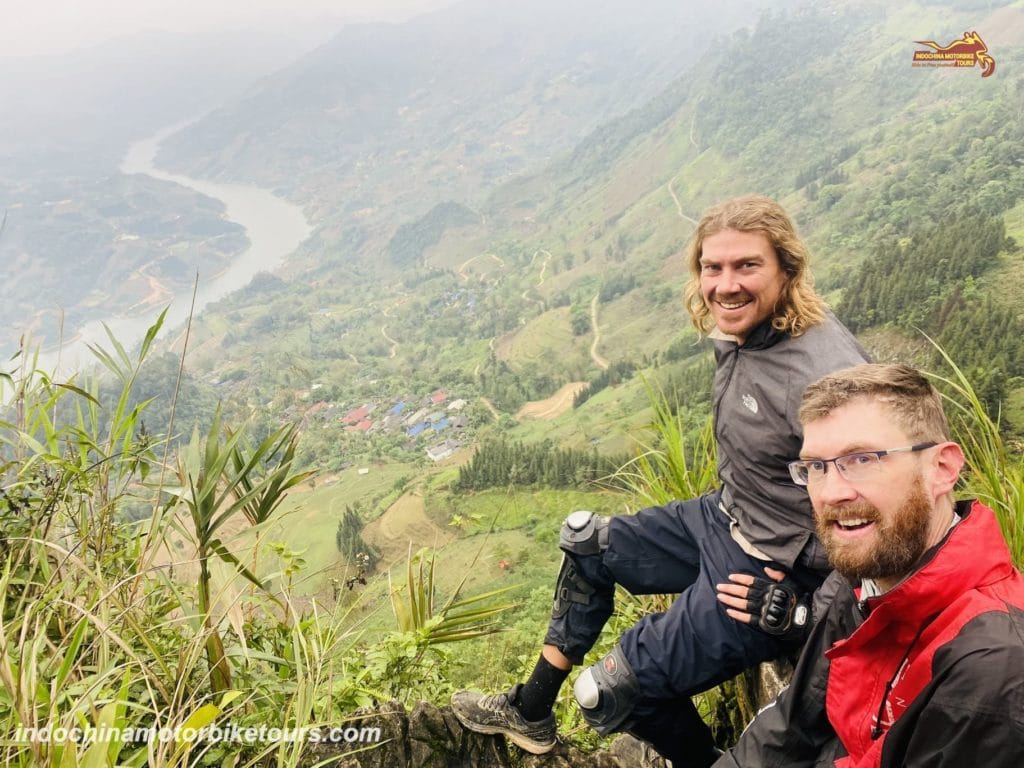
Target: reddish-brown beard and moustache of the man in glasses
(897, 547)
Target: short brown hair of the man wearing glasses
(907, 395)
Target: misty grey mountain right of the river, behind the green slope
(398, 118)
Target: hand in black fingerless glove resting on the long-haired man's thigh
(773, 607)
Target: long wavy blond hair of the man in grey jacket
(800, 308)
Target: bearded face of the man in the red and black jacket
(879, 527)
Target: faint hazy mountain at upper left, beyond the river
(101, 98)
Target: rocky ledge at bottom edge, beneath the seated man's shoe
(432, 738)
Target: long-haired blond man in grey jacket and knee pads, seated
(751, 291)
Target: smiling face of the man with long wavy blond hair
(741, 280)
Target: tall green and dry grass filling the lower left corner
(98, 630)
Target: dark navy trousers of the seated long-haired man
(684, 547)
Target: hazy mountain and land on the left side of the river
(82, 240)
